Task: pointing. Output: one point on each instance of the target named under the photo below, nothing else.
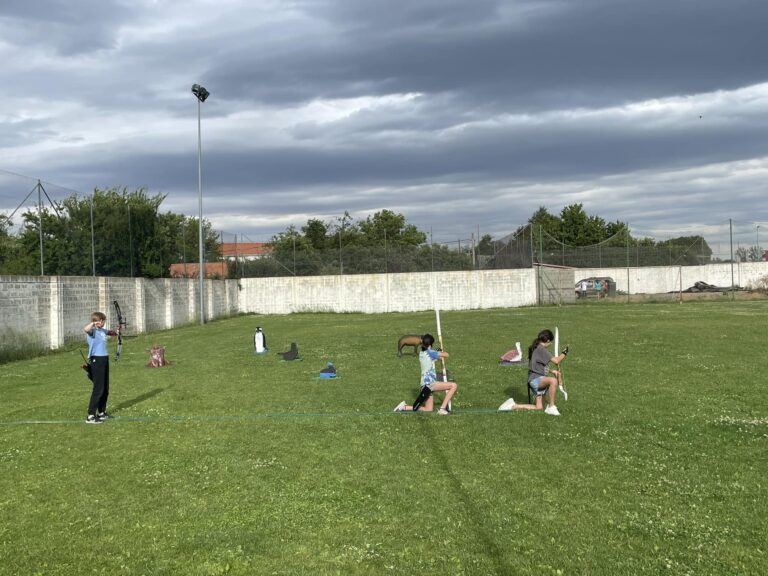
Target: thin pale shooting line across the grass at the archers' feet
(234, 418)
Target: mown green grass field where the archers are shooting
(231, 463)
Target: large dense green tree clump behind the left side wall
(123, 231)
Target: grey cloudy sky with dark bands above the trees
(463, 115)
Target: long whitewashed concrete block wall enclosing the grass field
(47, 311)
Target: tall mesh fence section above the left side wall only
(51, 230)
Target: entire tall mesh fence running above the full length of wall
(51, 234)
